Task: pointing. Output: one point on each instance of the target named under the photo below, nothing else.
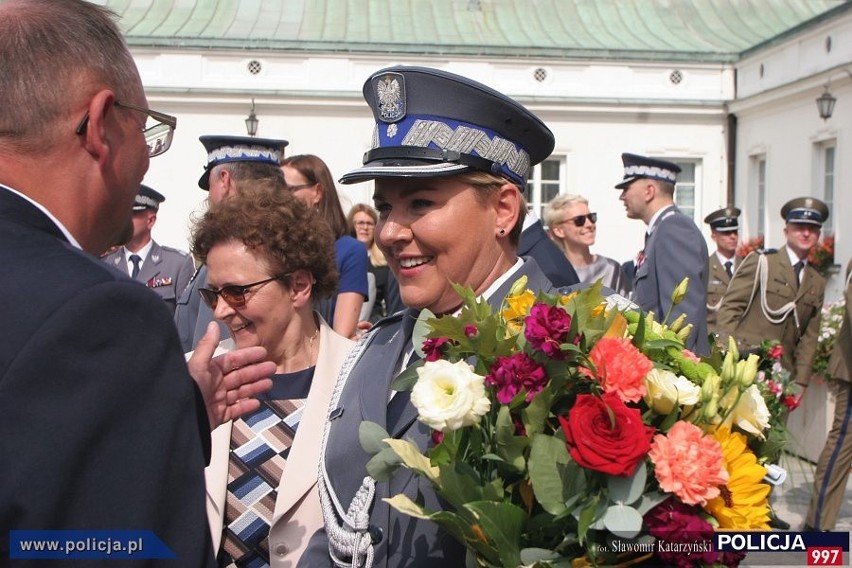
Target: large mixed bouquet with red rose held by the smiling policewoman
(569, 431)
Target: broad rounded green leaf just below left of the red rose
(550, 472)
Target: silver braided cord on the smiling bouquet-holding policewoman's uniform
(351, 538)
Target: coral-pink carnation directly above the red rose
(621, 368)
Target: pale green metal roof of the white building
(707, 30)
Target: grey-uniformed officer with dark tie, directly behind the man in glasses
(165, 270)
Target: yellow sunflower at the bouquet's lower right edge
(743, 504)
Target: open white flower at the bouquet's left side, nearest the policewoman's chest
(449, 396)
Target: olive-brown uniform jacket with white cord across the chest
(742, 315)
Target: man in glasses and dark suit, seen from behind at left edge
(104, 426)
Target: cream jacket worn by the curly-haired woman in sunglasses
(297, 508)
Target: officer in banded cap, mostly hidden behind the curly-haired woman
(231, 160)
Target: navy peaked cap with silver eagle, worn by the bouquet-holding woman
(431, 123)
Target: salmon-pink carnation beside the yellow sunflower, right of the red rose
(688, 463)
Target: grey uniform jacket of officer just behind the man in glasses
(165, 270)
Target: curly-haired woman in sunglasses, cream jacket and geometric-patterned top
(269, 258)
